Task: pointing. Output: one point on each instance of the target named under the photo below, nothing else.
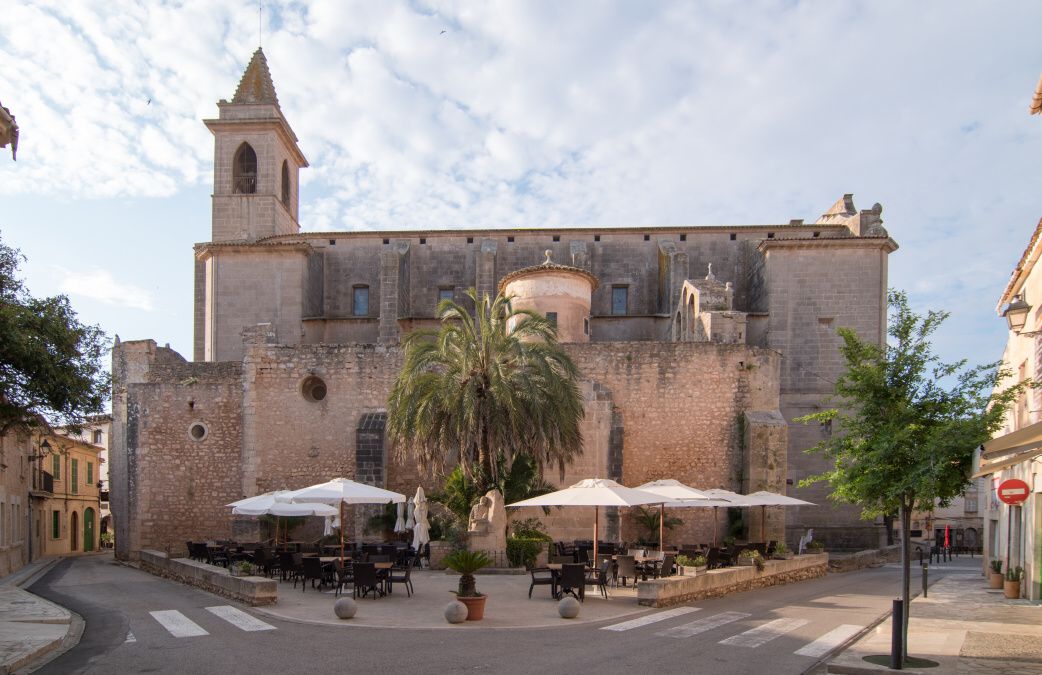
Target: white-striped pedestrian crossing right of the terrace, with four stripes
(751, 639)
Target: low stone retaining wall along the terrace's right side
(677, 590)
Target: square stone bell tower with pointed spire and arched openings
(257, 162)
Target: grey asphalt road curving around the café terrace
(781, 630)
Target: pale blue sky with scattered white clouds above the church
(432, 115)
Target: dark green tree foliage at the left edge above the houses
(52, 368)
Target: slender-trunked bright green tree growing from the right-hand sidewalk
(907, 424)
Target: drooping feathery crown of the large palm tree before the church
(484, 390)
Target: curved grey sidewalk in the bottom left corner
(31, 627)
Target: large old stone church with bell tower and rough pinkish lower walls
(699, 346)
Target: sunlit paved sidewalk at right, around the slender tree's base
(963, 627)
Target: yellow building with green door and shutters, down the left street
(65, 497)
